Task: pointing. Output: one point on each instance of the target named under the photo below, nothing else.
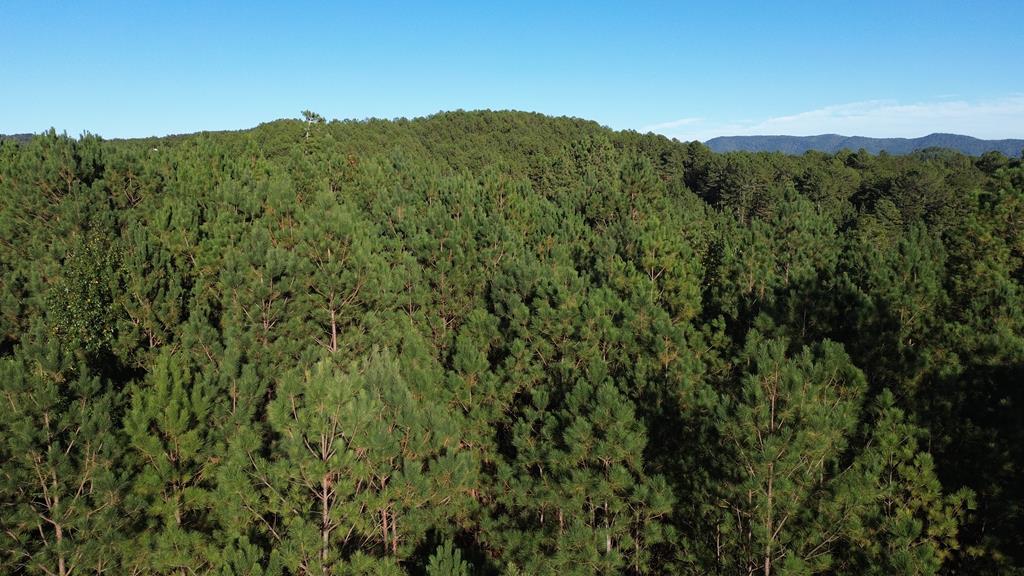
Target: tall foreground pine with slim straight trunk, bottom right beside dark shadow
(784, 432)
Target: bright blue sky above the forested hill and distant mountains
(690, 70)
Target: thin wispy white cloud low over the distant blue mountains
(1001, 118)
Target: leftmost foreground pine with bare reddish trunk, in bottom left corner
(61, 490)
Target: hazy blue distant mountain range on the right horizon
(836, 143)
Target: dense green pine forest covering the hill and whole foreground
(506, 344)
